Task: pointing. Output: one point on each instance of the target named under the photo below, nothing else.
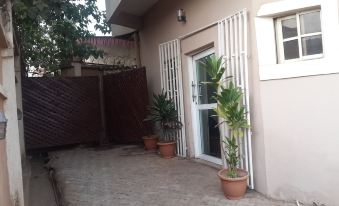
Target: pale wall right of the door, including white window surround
(299, 102)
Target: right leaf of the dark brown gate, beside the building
(126, 100)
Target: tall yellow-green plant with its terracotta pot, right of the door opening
(232, 112)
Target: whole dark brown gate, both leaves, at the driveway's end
(61, 111)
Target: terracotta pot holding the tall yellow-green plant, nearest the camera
(234, 188)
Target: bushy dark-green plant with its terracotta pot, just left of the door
(163, 112)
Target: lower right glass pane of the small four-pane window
(312, 45)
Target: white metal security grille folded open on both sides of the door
(232, 44)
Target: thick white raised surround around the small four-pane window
(266, 42)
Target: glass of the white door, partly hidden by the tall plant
(209, 133)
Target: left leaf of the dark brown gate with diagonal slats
(60, 111)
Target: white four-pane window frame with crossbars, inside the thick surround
(281, 40)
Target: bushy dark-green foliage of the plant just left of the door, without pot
(163, 111)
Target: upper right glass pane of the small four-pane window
(310, 23)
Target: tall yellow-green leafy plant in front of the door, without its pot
(229, 109)
